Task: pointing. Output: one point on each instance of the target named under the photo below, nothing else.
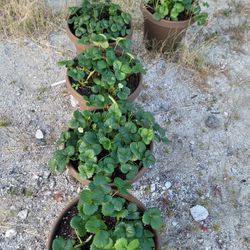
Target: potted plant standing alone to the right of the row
(166, 21)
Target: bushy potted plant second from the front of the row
(116, 143)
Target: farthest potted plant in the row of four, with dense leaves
(95, 17)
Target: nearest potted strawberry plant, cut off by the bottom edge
(104, 219)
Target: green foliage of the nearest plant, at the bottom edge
(113, 224)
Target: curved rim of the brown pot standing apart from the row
(165, 22)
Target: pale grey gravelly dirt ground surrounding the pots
(201, 96)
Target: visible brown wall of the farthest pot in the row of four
(82, 47)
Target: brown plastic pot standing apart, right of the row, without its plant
(164, 34)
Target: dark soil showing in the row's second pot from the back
(132, 83)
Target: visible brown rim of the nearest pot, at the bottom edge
(57, 223)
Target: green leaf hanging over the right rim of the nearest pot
(153, 218)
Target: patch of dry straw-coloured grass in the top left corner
(20, 18)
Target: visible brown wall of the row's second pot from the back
(83, 103)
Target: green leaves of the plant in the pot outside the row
(175, 10)
